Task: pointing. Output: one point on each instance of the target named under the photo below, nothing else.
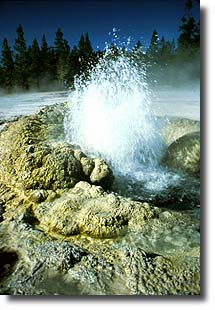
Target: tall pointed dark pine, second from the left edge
(21, 60)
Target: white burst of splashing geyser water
(111, 117)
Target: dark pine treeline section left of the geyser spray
(38, 66)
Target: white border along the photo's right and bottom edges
(197, 303)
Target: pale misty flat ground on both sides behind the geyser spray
(167, 100)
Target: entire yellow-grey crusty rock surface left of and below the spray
(64, 232)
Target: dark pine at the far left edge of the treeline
(7, 70)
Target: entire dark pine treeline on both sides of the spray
(39, 66)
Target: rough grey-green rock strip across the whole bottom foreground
(33, 263)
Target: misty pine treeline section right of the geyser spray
(174, 62)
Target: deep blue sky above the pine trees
(130, 20)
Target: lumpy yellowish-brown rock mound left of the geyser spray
(30, 164)
